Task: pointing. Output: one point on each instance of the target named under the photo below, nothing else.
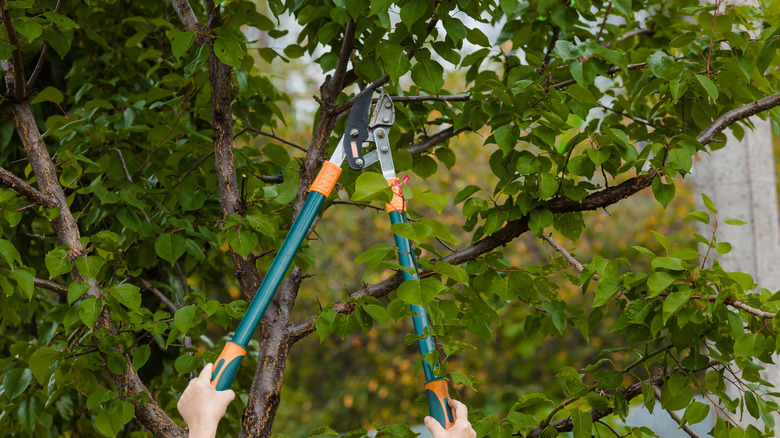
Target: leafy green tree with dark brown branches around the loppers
(126, 126)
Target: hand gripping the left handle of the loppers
(202, 406)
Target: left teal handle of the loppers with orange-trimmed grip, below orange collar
(226, 366)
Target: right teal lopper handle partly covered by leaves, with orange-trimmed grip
(435, 387)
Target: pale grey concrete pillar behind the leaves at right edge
(740, 179)
